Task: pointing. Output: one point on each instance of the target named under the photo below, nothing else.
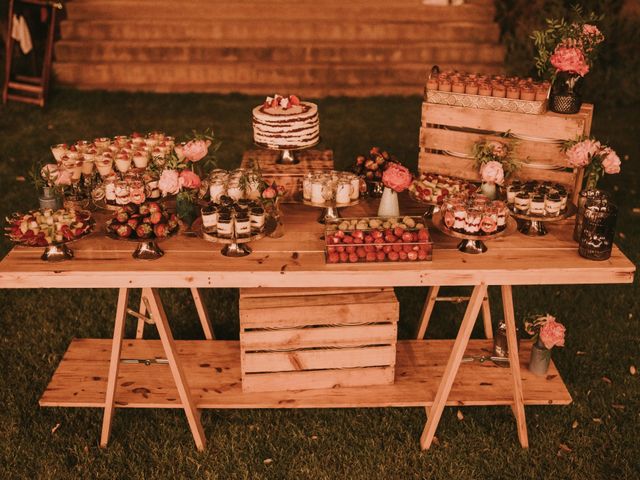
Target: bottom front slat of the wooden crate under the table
(319, 379)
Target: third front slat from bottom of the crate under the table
(319, 337)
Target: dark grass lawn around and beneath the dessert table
(595, 437)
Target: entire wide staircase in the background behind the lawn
(312, 47)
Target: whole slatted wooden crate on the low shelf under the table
(300, 339)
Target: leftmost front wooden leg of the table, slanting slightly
(114, 364)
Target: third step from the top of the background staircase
(424, 53)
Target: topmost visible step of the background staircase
(291, 11)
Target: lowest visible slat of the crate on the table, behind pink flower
(464, 168)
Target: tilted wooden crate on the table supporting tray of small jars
(456, 129)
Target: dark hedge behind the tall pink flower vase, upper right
(614, 77)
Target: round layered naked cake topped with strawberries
(286, 123)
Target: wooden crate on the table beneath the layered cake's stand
(288, 176)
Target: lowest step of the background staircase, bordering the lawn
(263, 78)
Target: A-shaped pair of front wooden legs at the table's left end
(159, 318)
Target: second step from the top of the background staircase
(277, 31)
